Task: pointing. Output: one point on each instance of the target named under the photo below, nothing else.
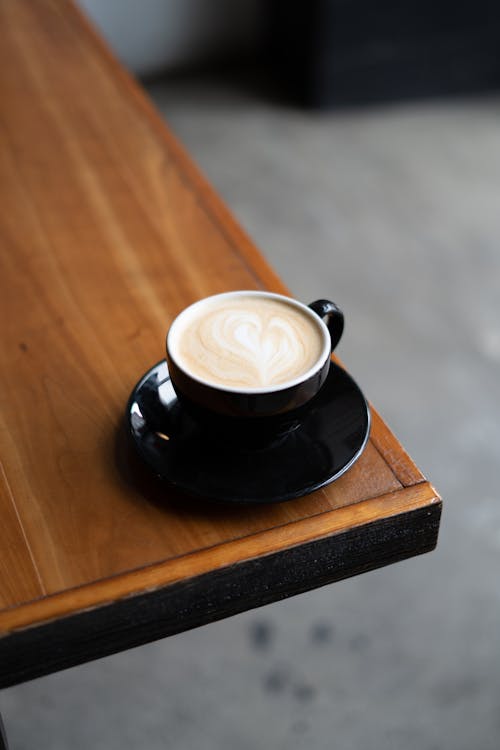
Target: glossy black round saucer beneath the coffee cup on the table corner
(322, 447)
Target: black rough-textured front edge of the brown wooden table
(133, 621)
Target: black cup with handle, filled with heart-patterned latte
(251, 354)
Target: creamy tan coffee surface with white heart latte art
(247, 342)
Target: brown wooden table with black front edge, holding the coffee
(107, 231)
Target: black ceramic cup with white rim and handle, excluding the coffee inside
(271, 405)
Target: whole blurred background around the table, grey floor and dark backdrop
(358, 143)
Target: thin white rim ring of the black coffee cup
(325, 352)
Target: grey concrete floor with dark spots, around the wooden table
(395, 213)
